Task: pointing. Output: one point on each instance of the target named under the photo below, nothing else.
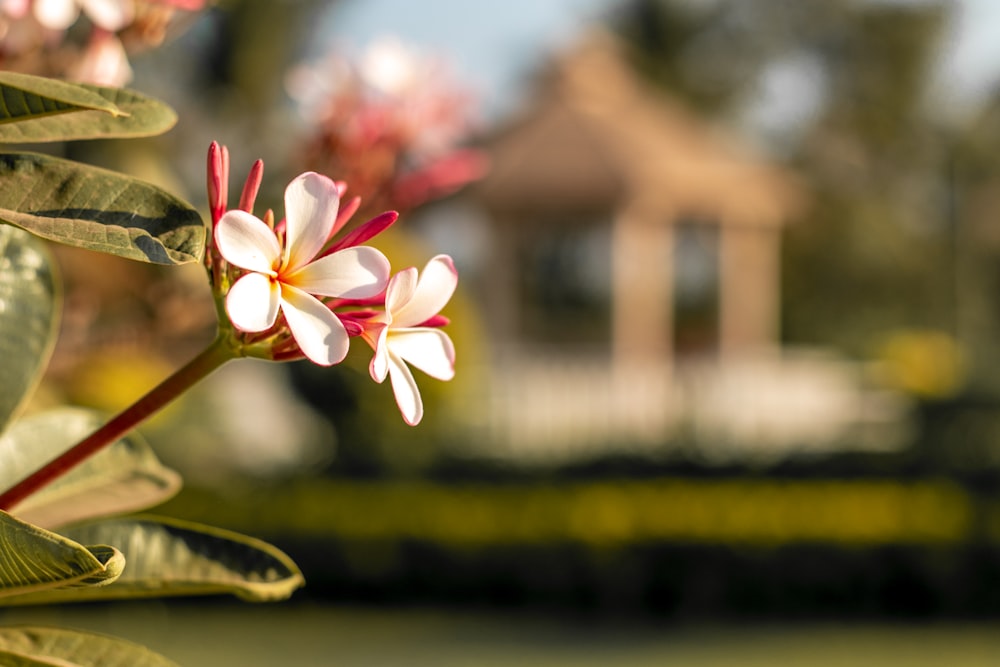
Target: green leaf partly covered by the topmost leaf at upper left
(142, 117)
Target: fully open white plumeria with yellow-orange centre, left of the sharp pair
(289, 278)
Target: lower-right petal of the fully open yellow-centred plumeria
(318, 332)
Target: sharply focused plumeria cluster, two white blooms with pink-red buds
(299, 288)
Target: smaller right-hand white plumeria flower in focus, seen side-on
(399, 339)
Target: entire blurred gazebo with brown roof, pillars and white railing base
(629, 243)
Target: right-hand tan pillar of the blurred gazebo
(749, 288)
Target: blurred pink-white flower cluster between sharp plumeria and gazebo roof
(390, 123)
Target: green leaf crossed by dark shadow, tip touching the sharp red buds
(97, 209)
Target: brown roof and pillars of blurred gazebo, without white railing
(600, 148)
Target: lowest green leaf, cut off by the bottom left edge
(29, 646)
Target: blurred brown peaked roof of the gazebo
(597, 137)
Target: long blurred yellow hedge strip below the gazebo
(743, 512)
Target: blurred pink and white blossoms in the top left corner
(40, 36)
